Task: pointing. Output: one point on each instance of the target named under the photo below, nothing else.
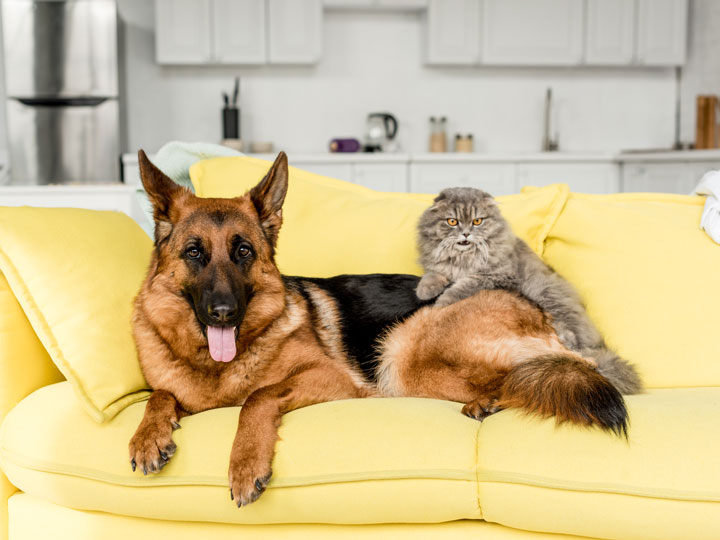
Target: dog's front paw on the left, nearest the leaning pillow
(152, 446)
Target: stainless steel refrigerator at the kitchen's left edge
(61, 81)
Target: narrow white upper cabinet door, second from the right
(609, 32)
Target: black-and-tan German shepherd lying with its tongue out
(217, 325)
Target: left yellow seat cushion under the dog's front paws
(356, 461)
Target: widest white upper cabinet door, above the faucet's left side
(532, 32)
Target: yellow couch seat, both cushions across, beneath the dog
(393, 461)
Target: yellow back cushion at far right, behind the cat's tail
(649, 276)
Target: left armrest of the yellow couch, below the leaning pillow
(25, 366)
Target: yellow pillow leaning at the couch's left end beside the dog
(75, 273)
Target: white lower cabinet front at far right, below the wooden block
(664, 177)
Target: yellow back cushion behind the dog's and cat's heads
(333, 227)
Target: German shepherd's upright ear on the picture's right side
(268, 197)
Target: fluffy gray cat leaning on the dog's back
(466, 246)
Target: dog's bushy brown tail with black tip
(568, 389)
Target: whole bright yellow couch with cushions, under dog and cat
(391, 468)
